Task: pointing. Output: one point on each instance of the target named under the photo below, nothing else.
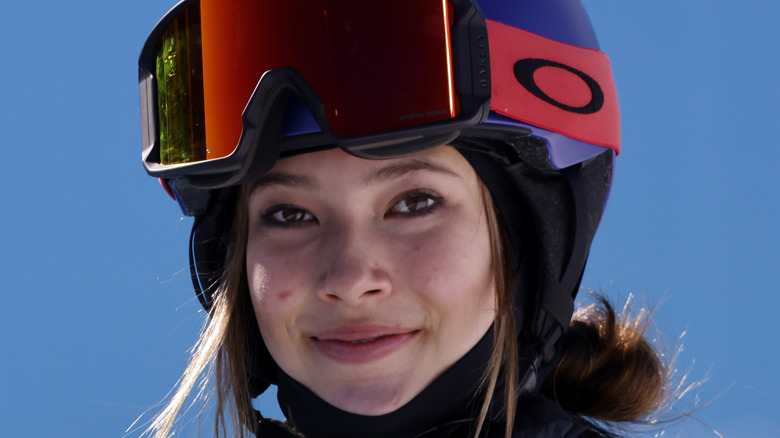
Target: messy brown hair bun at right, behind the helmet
(608, 371)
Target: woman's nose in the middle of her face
(354, 267)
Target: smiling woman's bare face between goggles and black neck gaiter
(369, 278)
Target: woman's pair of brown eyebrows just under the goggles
(386, 173)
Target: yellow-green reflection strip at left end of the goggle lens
(179, 68)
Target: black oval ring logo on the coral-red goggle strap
(524, 73)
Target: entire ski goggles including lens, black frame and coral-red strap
(230, 86)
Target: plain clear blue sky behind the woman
(98, 311)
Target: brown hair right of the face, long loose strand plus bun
(608, 372)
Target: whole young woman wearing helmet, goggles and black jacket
(393, 205)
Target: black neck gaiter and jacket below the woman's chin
(445, 409)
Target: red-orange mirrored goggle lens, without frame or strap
(376, 67)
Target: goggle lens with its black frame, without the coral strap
(218, 76)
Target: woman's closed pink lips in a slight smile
(361, 345)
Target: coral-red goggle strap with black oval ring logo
(581, 103)
